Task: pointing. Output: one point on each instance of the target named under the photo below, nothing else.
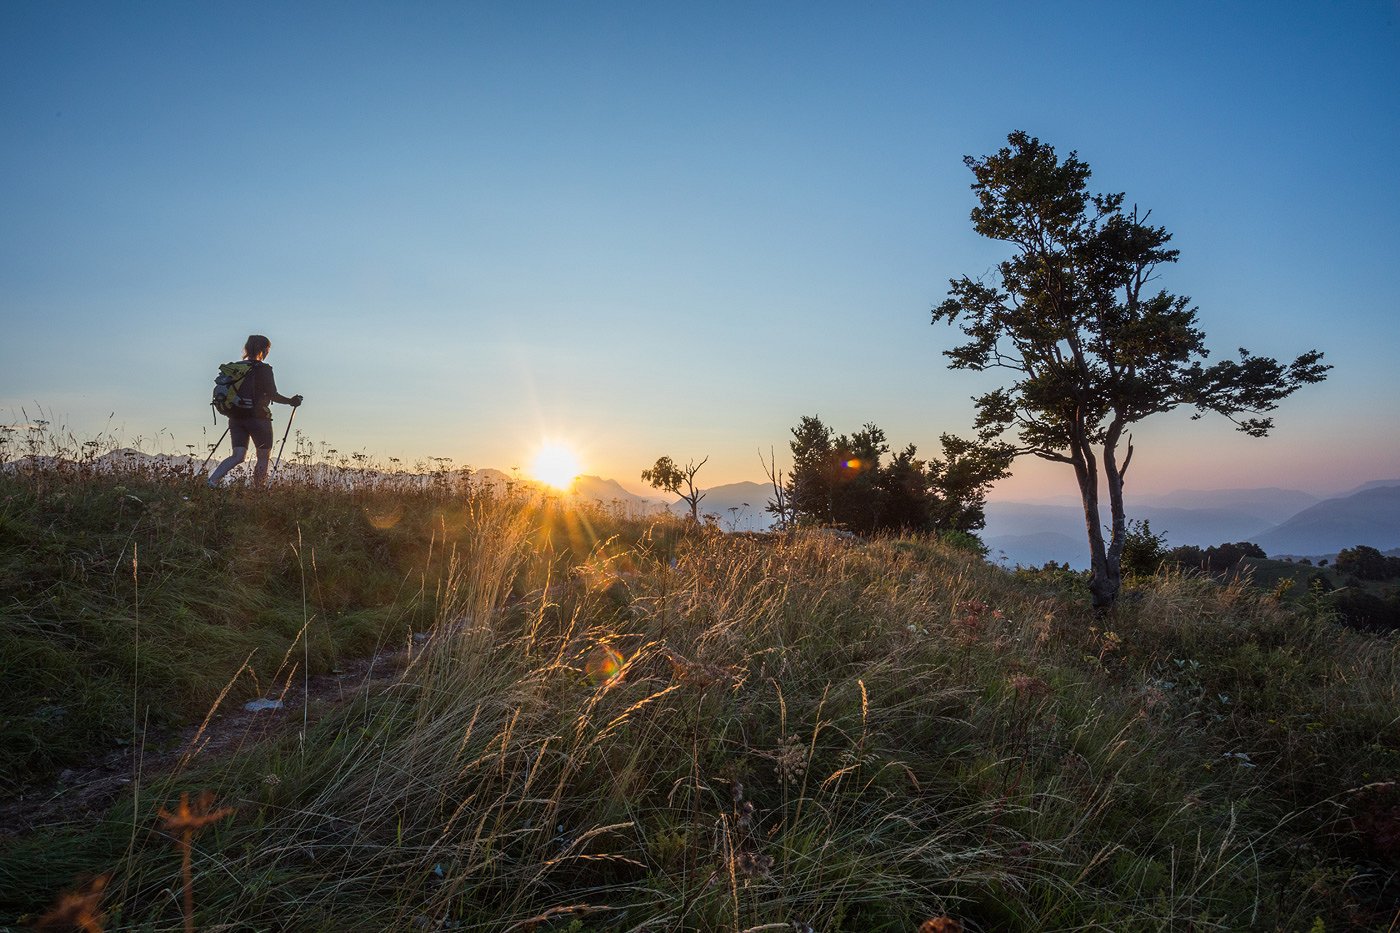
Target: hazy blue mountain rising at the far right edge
(1370, 518)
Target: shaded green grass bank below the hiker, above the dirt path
(132, 602)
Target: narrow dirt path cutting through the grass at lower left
(87, 791)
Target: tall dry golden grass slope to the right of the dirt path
(619, 726)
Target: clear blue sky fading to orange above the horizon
(671, 229)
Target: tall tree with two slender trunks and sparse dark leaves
(1090, 345)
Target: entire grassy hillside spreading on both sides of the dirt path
(631, 726)
